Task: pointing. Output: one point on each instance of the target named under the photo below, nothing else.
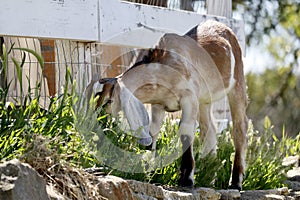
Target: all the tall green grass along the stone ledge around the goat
(67, 131)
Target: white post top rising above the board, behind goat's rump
(219, 8)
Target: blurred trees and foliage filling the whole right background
(274, 25)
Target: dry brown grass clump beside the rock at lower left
(67, 180)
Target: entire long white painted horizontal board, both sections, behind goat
(106, 21)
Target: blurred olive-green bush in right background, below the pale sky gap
(275, 93)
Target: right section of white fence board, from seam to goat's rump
(140, 25)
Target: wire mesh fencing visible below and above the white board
(85, 61)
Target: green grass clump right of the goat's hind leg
(264, 159)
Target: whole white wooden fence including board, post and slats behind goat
(85, 34)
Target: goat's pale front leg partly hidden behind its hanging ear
(157, 116)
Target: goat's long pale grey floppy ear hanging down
(136, 115)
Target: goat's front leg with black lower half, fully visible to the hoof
(187, 129)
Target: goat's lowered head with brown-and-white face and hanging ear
(114, 96)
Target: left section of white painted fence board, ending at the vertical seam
(76, 19)
